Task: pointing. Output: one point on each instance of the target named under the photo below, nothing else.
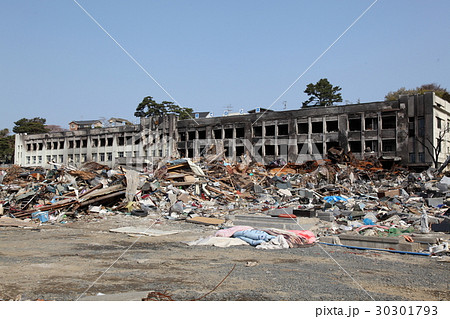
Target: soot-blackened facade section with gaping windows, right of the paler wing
(365, 129)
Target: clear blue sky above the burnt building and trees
(58, 64)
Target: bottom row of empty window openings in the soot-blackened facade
(317, 148)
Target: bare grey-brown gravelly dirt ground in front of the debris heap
(83, 259)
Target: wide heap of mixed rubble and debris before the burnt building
(342, 200)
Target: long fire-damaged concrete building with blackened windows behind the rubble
(408, 130)
